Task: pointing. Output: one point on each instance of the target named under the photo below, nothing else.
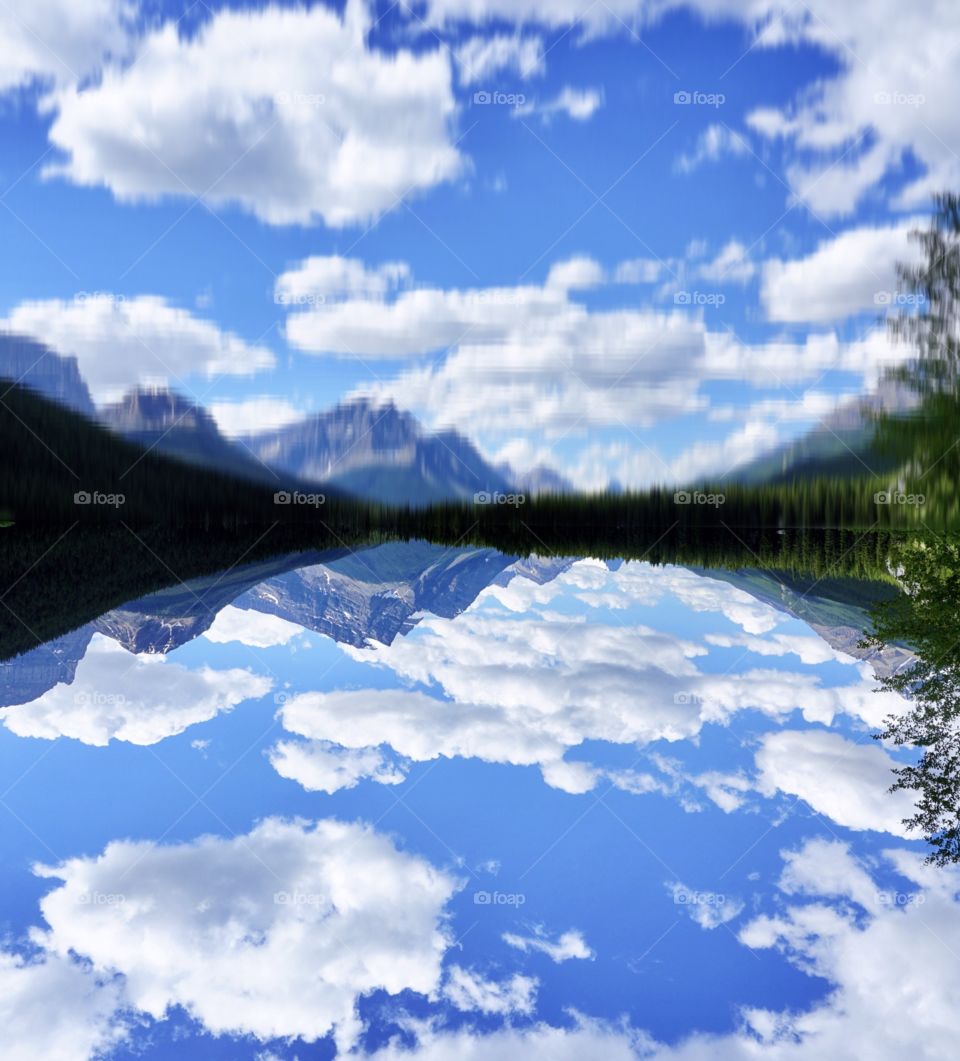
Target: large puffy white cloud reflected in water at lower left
(275, 934)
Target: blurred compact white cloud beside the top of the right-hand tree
(851, 273)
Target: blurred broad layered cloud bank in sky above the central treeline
(537, 356)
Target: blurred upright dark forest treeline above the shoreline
(53, 456)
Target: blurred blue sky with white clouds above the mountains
(207, 197)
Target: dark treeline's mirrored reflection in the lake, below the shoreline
(54, 581)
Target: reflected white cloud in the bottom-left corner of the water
(55, 1008)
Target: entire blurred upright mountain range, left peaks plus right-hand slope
(378, 453)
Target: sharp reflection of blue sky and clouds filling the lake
(500, 837)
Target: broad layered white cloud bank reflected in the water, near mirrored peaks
(520, 688)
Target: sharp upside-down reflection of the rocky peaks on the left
(355, 598)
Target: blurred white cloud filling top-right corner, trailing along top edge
(898, 101)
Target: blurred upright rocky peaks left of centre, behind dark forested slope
(372, 451)
